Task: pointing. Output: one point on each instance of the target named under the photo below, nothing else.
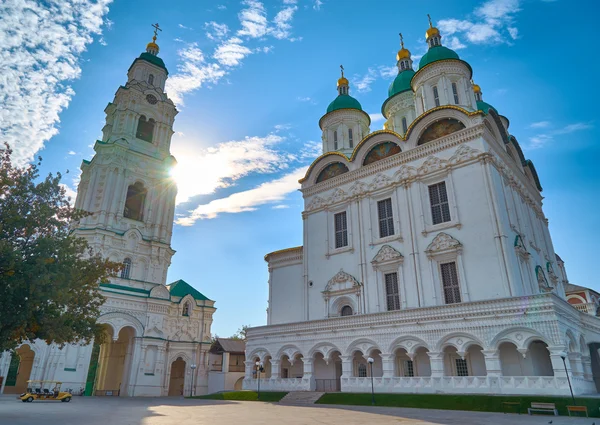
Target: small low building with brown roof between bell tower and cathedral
(226, 365)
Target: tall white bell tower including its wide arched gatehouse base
(159, 335)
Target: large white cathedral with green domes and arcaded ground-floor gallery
(426, 263)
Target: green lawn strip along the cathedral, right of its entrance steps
(478, 403)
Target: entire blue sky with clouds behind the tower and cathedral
(251, 80)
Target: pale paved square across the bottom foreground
(176, 411)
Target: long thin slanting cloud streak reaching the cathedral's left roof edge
(248, 200)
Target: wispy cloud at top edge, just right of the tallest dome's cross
(491, 22)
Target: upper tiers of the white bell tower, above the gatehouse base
(126, 187)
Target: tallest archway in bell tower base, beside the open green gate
(114, 364)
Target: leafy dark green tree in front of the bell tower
(48, 278)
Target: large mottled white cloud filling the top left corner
(41, 47)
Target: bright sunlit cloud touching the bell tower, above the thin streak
(201, 172)
